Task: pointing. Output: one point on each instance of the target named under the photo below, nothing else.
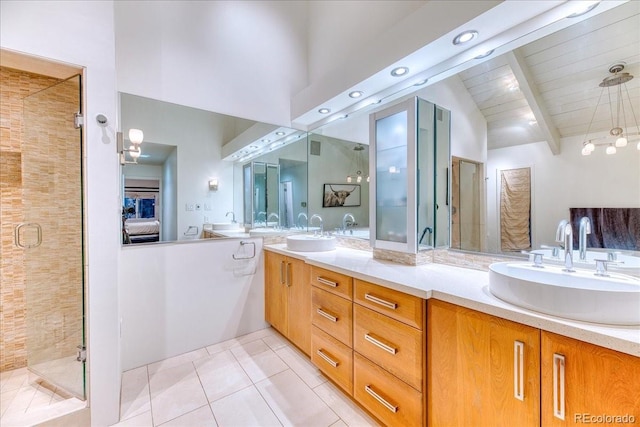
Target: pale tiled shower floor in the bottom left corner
(24, 403)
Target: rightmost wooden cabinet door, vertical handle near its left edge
(586, 384)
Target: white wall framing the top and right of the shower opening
(81, 33)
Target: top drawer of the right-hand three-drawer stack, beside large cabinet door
(406, 308)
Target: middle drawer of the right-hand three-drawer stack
(396, 347)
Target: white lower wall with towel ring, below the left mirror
(174, 299)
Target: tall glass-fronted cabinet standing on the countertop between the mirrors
(410, 184)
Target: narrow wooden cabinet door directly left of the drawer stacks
(299, 303)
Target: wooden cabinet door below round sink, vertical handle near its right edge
(482, 370)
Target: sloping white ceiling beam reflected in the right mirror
(531, 94)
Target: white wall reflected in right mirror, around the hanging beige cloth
(563, 181)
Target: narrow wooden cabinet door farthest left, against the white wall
(275, 291)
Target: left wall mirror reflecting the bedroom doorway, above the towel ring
(167, 194)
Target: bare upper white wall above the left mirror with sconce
(241, 58)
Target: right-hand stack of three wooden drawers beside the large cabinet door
(389, 354)
